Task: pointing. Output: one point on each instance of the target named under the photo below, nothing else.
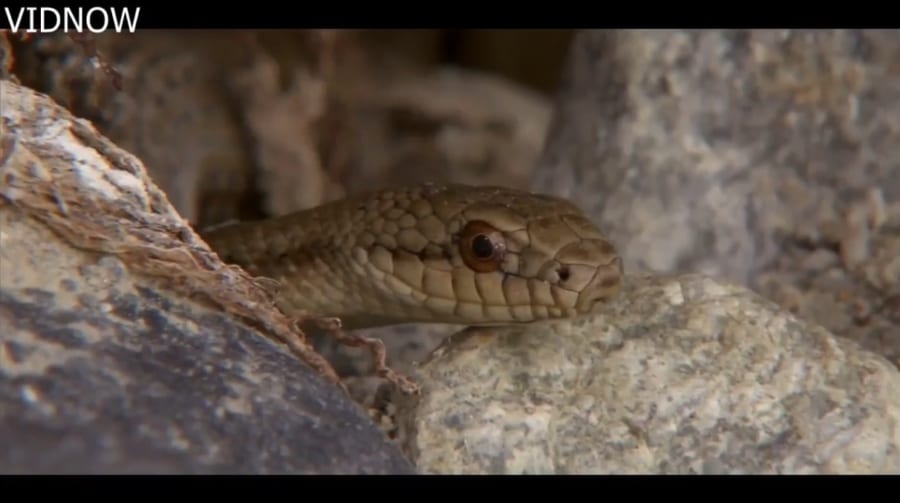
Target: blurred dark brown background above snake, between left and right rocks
(243, 124)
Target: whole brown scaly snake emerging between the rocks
(430, 253)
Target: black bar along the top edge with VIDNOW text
(84, 16)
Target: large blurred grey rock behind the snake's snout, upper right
(764, 157)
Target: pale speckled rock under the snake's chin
(682, 375)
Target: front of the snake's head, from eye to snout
(534, 256)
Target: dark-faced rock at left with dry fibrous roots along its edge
(107, 363)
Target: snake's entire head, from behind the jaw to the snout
(489, 255)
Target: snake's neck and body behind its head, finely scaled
(314, 256)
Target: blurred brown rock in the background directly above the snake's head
(449, 125)
